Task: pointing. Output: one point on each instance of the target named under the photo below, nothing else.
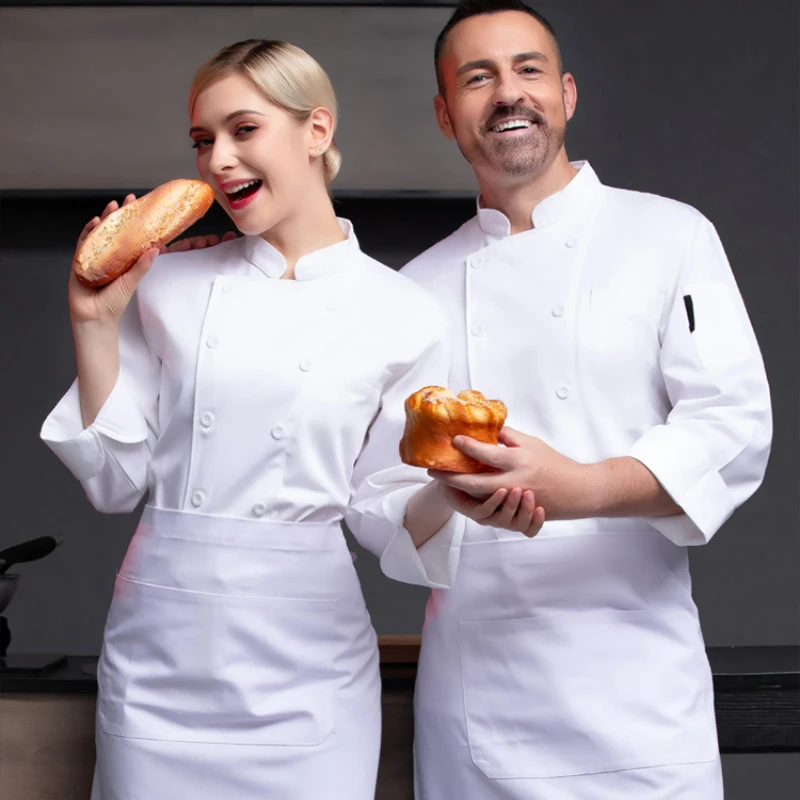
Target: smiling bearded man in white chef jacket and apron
(571, 666)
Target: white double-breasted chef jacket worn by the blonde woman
(353, 337)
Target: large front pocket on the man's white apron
(572, 694)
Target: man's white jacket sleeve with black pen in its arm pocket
(711, 453)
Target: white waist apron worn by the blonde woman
(238, 662)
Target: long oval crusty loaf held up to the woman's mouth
(153, 220)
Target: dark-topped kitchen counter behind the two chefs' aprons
(47, 719)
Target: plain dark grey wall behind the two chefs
(697, 102)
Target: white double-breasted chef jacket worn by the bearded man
(581, 327)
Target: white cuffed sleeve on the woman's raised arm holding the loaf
(111, 456)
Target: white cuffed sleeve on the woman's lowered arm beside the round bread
(383, 485)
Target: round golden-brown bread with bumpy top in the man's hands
(435, 415)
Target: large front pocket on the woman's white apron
(189, 666)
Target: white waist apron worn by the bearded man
(566, 668)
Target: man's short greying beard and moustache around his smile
(520, 154)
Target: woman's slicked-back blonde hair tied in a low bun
(288, 77)
